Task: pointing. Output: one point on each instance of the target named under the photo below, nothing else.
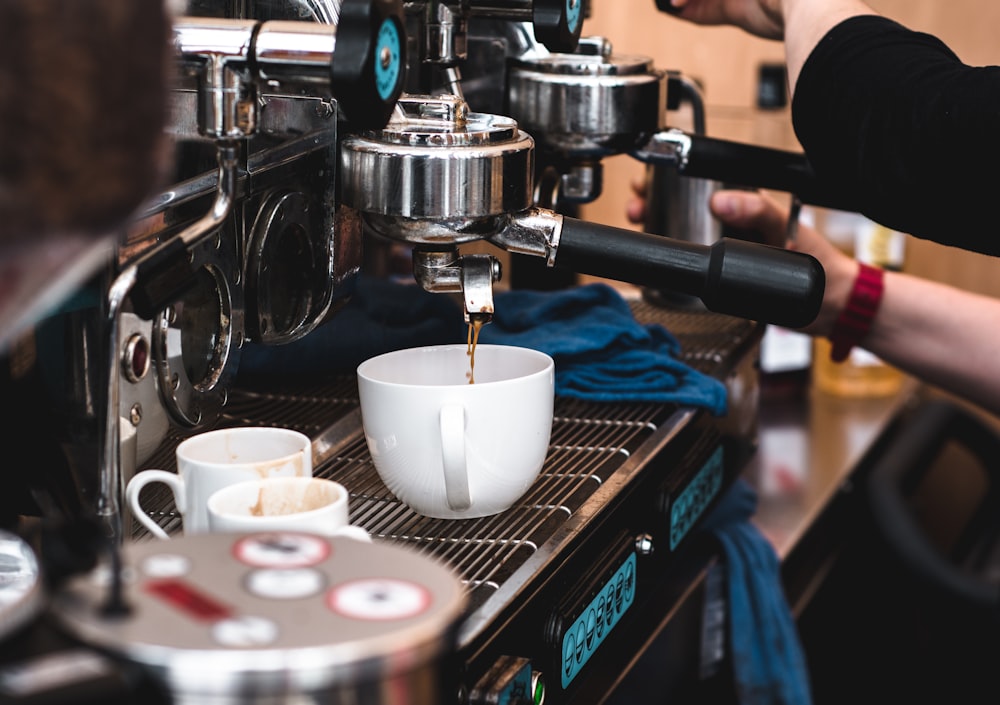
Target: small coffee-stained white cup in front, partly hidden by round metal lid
(309, 504)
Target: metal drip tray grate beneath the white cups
(585, 450)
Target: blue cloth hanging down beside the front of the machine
(769, 666)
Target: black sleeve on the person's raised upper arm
(894, 120)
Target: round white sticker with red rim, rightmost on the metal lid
(379, 599)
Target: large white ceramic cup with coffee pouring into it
(450, 449)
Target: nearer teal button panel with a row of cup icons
(592, 627)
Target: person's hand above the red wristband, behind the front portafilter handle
(755, 211)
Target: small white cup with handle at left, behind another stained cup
(215, 459)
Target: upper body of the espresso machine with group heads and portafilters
(308, 133)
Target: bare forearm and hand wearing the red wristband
(944, 336)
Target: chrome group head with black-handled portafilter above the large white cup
(440, 175)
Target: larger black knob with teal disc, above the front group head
(369, 60)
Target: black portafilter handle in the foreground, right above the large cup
(734, 277)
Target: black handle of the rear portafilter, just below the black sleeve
(754, 166)
